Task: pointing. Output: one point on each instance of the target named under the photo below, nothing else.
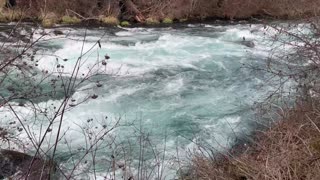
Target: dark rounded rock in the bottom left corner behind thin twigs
(15, 165)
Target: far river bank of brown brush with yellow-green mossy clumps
(152, 13)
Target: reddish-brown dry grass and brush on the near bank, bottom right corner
(288, 150)
